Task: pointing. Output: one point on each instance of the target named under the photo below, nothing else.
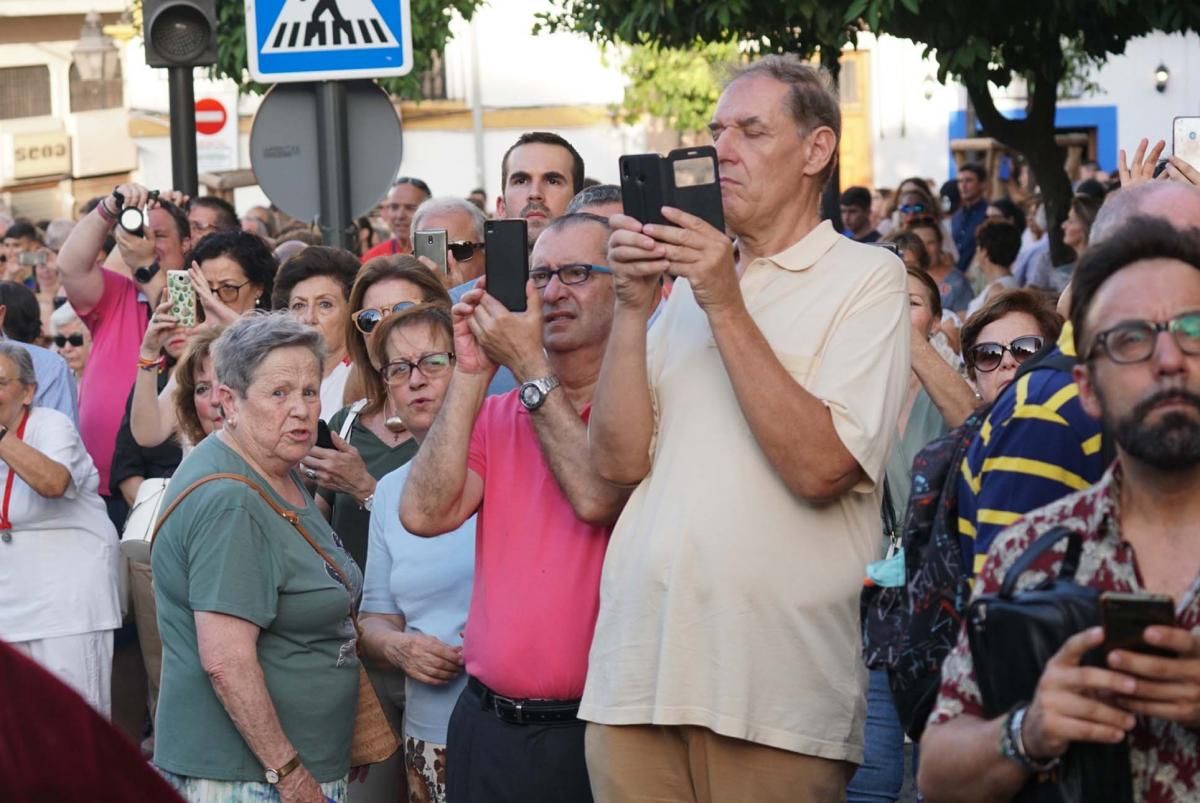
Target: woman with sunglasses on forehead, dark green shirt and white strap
(370, 436)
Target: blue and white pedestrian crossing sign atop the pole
(328, 40)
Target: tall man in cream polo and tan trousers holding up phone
(755, 420)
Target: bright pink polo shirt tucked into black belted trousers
(537, 591)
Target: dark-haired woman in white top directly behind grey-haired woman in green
(315, 287)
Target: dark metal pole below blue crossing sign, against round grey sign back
(333, 165)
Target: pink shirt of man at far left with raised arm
(118, 323)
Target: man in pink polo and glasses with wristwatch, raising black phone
(521, 460)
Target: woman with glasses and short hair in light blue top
(418, 590)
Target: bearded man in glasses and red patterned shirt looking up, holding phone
(1136, 314)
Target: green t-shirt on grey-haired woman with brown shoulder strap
(224, 550)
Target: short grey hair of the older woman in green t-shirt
(243, 347)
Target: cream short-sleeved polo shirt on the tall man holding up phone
(725, 601)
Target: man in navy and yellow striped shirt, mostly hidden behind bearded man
(1039, 445)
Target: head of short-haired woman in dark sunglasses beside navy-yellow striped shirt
(1011, 328)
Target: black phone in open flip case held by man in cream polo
(688, 179)
